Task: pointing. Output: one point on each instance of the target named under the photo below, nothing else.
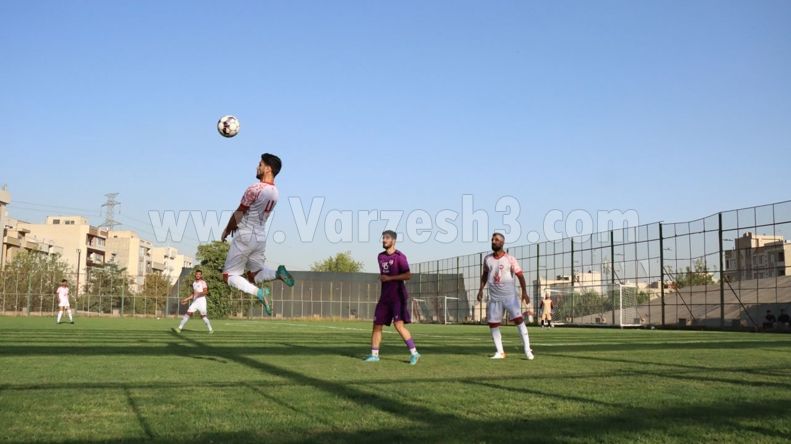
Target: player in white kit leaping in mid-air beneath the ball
(248, 227)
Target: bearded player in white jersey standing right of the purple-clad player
(499, 271)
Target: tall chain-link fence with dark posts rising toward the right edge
(725, 270)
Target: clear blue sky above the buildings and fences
(674, 109)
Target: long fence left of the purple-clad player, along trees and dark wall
(315, 295)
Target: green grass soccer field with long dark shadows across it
(283, 381)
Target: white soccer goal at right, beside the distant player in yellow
(600, 305)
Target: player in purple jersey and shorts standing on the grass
(393, 305)
